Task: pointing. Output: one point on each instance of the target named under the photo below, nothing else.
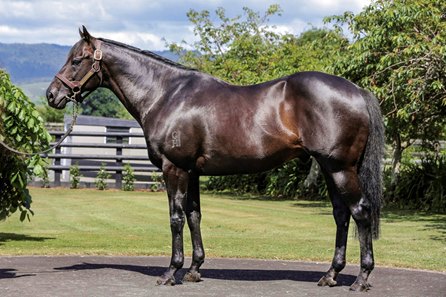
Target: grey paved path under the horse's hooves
(136, 276)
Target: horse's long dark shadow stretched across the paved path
(223, 274)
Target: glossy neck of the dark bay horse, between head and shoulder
(138, 81)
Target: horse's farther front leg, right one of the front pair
(193, 214)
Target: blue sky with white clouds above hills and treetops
(146, 24)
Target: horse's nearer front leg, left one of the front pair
(176, 181)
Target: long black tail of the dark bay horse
(370, 169)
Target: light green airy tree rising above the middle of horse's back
(240, 50)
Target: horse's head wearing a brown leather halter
(81, 73)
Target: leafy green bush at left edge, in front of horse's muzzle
(22, 128)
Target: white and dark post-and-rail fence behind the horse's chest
(96, 142)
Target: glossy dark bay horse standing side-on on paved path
(195, 124)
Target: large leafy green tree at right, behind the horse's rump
(399, 53)
